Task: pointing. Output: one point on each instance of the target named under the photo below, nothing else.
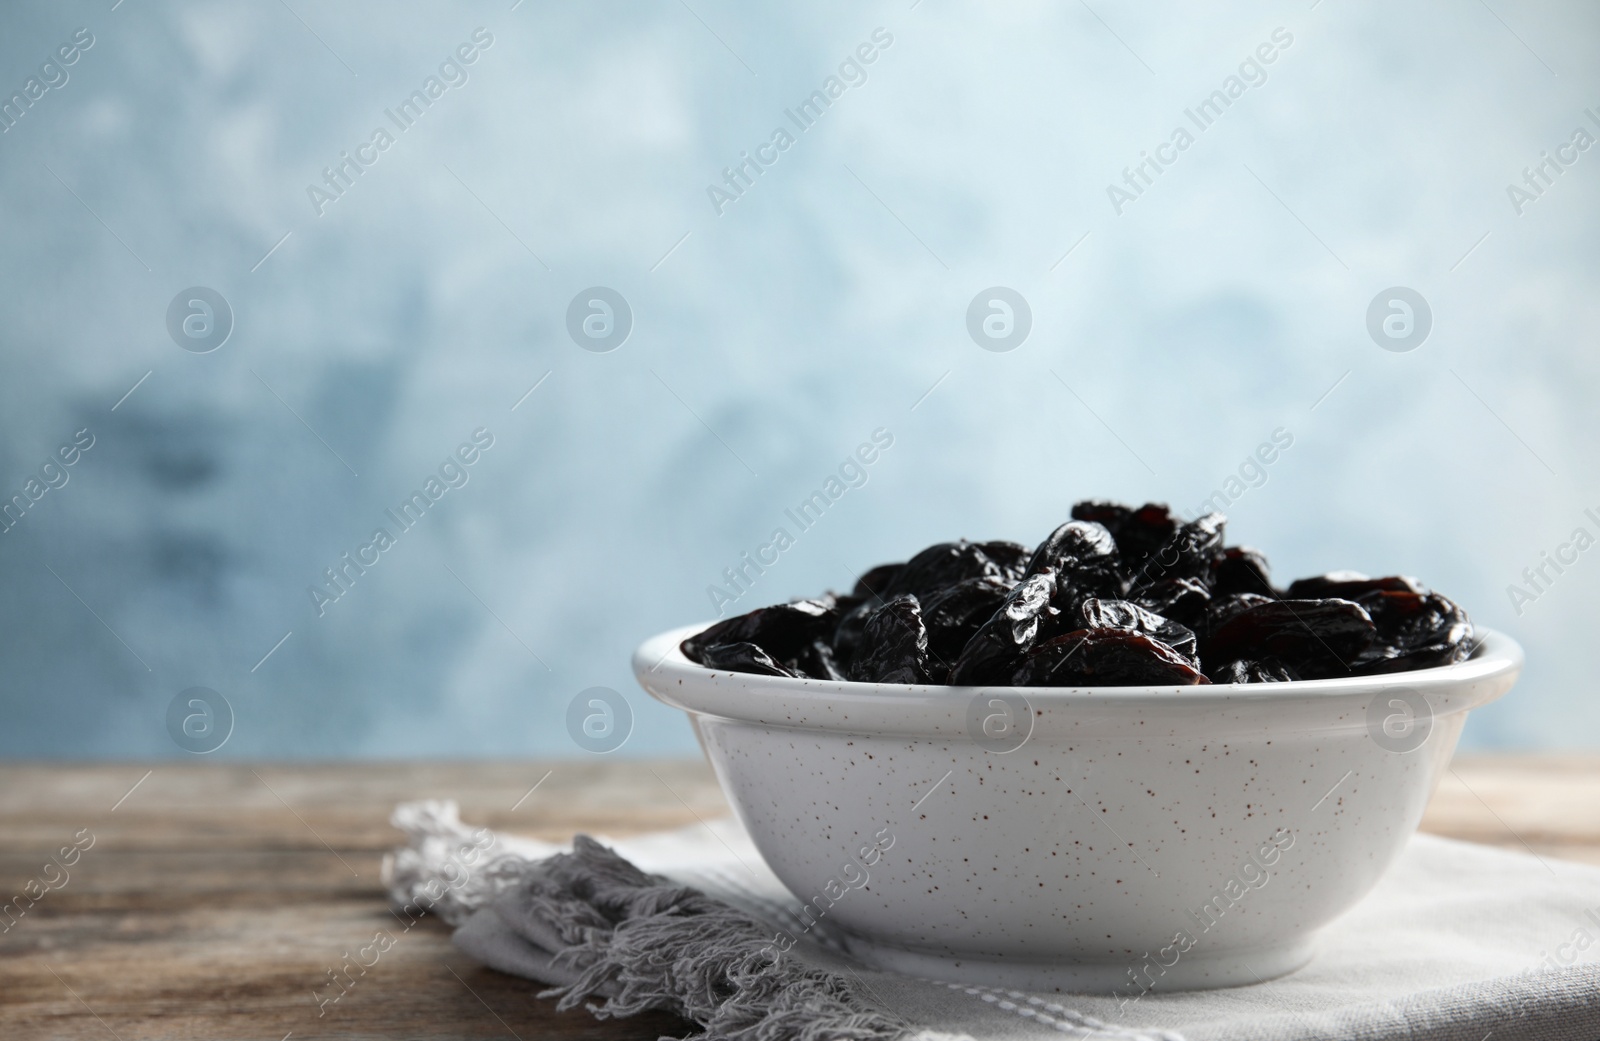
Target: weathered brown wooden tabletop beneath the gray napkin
(215, 898)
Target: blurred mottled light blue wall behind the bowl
(574, 301)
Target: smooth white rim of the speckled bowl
(670, 676)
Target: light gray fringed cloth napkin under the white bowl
(1458, 943)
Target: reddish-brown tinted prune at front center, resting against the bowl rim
(1105, 658)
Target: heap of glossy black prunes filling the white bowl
(1114, 597)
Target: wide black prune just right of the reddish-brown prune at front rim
(1318, 639)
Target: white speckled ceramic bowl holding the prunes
(1068, 839)
